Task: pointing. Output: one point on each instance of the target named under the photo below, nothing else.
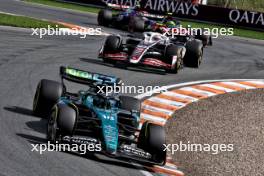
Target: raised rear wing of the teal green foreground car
(87, 78)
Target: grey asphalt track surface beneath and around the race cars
(26, 59)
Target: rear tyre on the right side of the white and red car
(194, 53)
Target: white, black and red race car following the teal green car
(154, 50)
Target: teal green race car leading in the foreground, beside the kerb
(92, 117)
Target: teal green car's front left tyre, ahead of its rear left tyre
(61, 122)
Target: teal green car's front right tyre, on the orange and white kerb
(152, 139)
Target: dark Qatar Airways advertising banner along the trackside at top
(183, 9)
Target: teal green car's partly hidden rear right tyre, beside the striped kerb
(130, 103)
